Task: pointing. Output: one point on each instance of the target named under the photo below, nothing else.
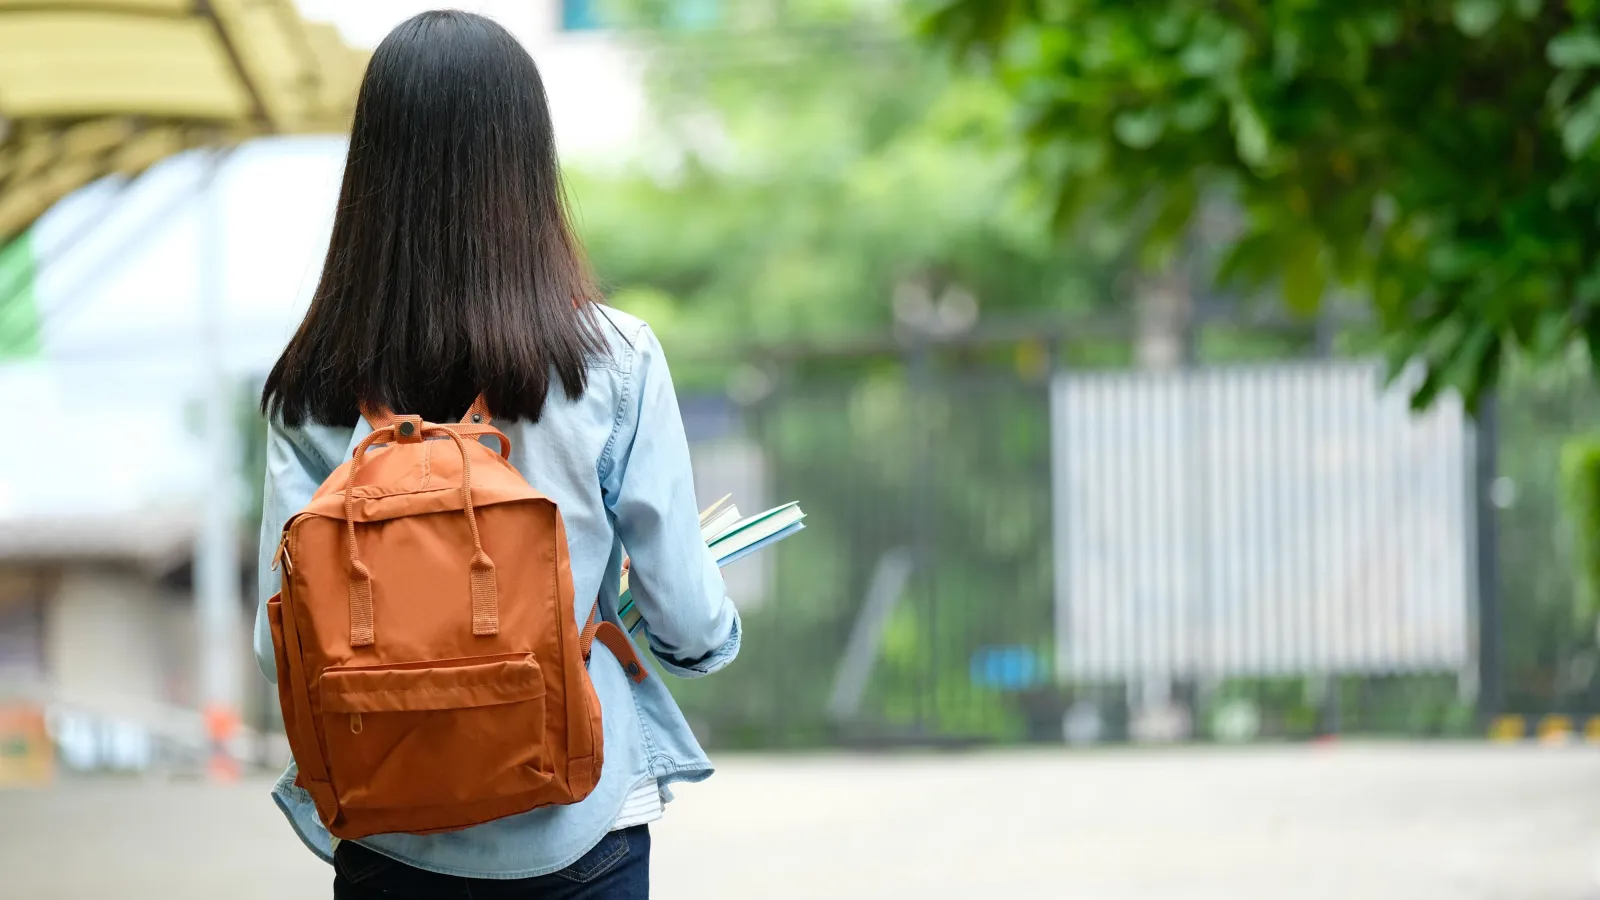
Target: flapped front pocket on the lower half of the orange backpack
(436, 734)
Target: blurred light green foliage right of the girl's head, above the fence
(810, 167)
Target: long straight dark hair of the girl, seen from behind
(452, 267)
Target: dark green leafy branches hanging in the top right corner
(1441, 158)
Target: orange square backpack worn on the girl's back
(431, 672)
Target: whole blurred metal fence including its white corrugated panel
(1252, 552)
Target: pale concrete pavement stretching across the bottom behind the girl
(1414, 822)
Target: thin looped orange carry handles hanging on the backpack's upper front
(486, 590)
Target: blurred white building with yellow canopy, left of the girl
(108, 271)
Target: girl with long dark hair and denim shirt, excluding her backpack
(454, 271)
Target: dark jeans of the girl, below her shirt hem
(618, 869)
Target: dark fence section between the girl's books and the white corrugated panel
(922, 574)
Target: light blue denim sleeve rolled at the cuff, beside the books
(692, 625)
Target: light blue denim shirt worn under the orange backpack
(617, 464)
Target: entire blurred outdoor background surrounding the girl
(1194, 406)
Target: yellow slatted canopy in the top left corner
(98, 87)
